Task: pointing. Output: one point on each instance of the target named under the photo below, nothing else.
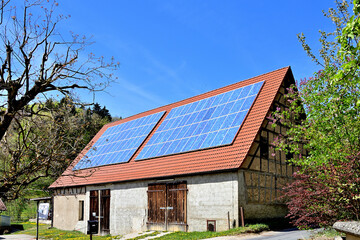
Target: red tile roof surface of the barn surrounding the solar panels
(206, 160)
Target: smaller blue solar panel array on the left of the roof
(118, 143)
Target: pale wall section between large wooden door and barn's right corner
(212, 197)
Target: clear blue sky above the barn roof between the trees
(172, 50)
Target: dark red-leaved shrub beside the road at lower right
(323, 195)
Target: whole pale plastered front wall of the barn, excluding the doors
(209, 197)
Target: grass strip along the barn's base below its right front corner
(202, 235)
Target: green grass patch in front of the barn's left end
(53, 233)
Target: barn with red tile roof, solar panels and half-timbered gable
(203, 163)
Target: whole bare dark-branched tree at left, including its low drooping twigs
(35, 61)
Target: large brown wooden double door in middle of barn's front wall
(167, 204)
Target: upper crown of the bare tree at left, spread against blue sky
(35, 59)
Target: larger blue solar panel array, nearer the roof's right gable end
(210, 122)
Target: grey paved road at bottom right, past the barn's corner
(292, 234)
